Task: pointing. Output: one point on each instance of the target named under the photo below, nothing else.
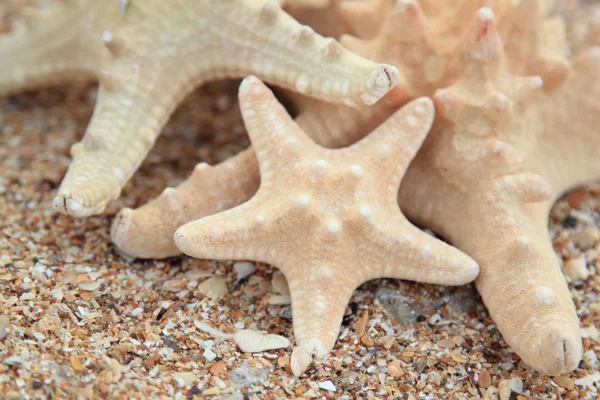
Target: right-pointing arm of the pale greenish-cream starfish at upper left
(293, 56)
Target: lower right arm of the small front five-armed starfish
(403, 251)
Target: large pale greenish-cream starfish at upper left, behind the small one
(149, 54)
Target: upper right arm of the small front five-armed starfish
(396, 141)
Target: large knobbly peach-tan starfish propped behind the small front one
(530, 136)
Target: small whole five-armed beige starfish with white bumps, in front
(328, 219)
